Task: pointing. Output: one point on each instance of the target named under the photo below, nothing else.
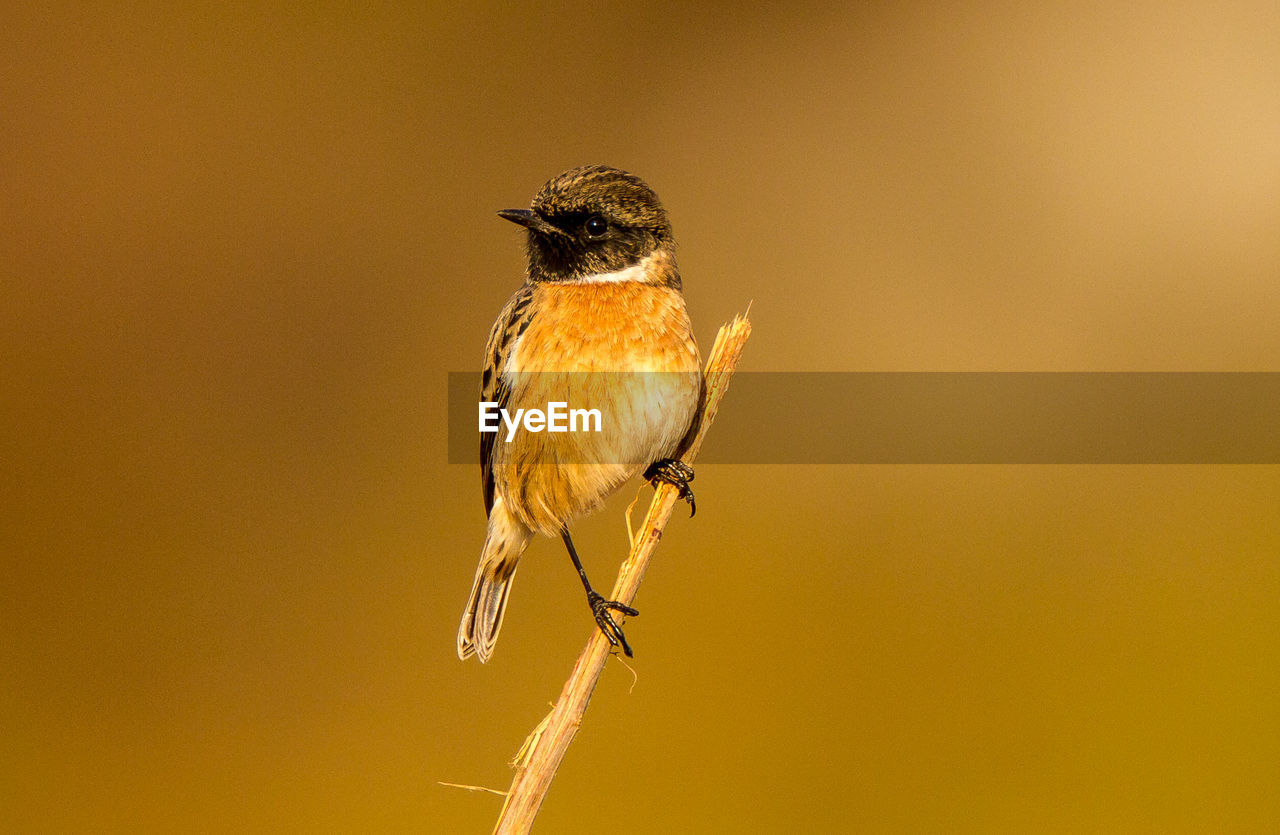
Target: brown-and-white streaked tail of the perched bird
(482, 620)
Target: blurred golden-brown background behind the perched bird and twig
(241, 249)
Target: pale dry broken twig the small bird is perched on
(545, 750)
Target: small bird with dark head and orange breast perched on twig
(601, 318)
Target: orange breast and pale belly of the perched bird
(548, 480)
